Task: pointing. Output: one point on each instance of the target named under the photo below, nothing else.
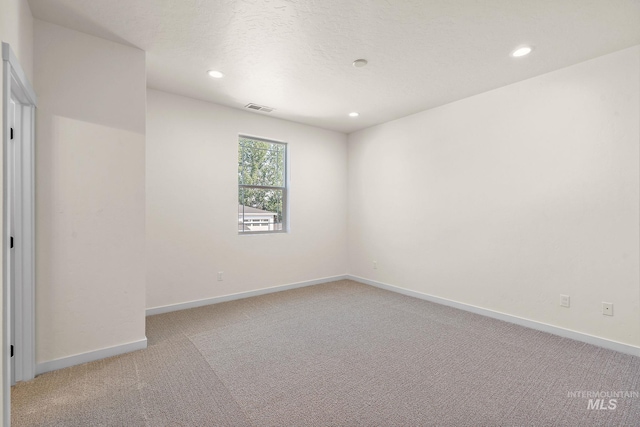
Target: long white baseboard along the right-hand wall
(544, 327)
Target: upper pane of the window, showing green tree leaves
(261, 163)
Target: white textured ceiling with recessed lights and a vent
(296, 55)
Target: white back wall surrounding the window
(192, 202)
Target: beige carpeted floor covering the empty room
(337, 354)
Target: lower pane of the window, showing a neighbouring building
(259, 209)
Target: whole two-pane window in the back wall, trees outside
(262, 185)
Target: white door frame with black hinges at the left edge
(17, 87)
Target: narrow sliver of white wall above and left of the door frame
(16, 28)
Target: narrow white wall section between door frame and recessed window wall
(90, 272)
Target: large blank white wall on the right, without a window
(508, 199)
